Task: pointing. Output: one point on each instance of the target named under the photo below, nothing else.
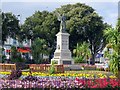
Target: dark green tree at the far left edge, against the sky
(10, 26)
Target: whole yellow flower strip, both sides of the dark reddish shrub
(66, 74)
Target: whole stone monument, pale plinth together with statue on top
(62, 54)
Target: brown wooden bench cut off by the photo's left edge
(7, 67)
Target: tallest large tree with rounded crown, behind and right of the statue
(84, 24)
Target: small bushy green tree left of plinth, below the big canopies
(39, 48)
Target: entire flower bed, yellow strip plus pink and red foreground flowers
(62, 80)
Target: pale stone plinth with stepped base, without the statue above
(62, 54)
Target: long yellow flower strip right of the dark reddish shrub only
(91, 76)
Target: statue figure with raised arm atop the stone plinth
(62, 24)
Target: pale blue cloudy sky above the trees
(108, 10)
